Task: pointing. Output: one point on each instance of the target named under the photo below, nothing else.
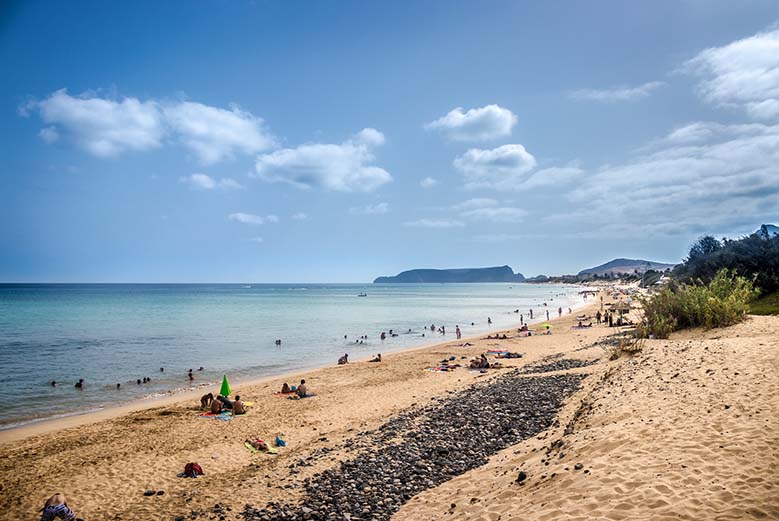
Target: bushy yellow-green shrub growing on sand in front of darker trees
(723, 301)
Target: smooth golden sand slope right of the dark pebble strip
(689, 429)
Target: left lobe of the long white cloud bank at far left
(104, 127)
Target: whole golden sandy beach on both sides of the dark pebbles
(686, 429)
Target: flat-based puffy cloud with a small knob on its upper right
(345, 167)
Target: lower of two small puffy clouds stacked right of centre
(496, 168)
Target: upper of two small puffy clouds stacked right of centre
(479, 124)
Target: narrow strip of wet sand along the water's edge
(42, 426)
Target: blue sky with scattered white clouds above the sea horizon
(338, 141)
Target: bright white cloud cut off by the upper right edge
(744, 74)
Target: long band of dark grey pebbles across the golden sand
(426, 446)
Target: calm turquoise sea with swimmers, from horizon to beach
(118, 333)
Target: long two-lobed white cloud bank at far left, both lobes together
(107, 127)
